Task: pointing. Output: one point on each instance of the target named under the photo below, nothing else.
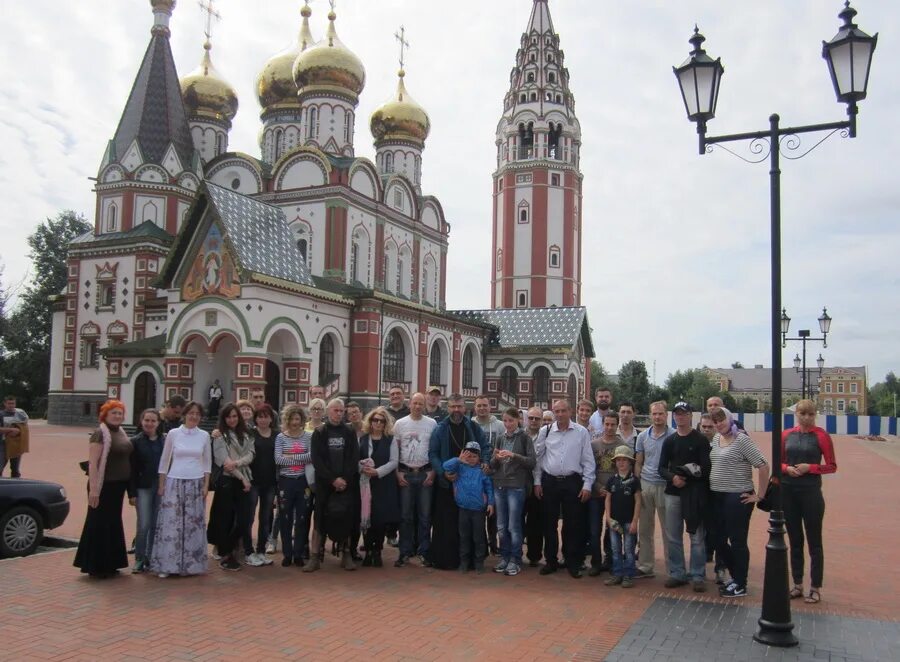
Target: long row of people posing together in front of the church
(447, 488)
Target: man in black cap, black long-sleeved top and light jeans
(684, 464)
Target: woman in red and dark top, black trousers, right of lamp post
(807, 452)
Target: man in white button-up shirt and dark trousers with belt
(563, 478)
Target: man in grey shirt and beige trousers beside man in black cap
(648, 447)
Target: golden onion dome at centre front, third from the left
(329, 66)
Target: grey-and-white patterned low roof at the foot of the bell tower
(535, 327)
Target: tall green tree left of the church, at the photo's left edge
(27, 337)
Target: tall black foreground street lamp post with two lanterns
(849, 57)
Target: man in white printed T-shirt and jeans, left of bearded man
(415, 475)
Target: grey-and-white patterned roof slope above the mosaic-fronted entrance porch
(260, 236)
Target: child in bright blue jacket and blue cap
(472, 491)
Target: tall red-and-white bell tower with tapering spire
(537, 184)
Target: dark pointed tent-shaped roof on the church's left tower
(154, 113)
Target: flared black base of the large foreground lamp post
(775, 625)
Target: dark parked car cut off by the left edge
(27, 508)
